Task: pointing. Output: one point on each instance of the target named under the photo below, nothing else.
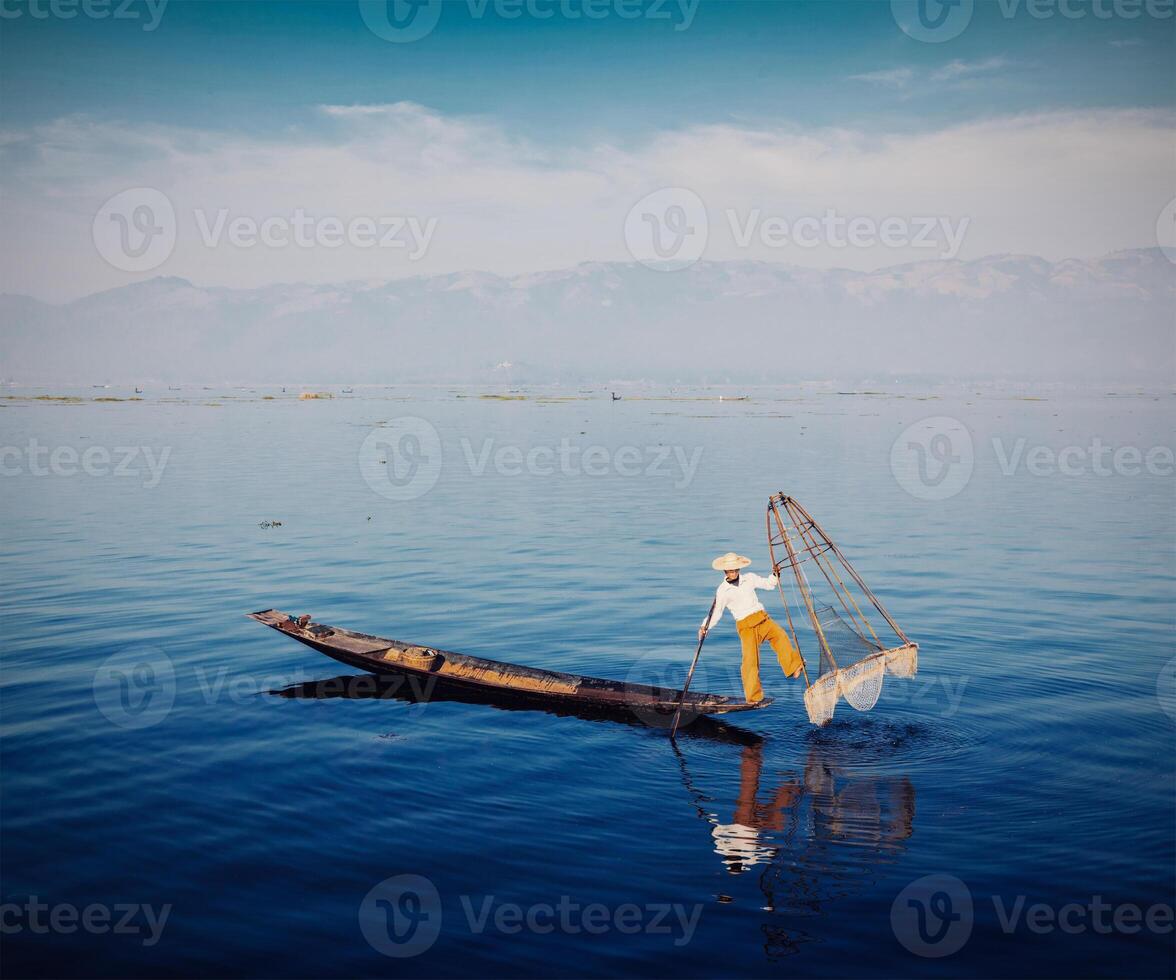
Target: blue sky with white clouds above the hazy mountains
(243, 144)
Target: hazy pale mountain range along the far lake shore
(1005, 316)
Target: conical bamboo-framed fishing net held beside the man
(854, 658)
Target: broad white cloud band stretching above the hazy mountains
(1051, 184)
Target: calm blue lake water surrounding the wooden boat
(146, 763)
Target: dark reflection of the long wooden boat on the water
(419, 691)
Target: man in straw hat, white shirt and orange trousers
(737, 594)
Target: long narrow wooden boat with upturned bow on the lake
(458, 671)
